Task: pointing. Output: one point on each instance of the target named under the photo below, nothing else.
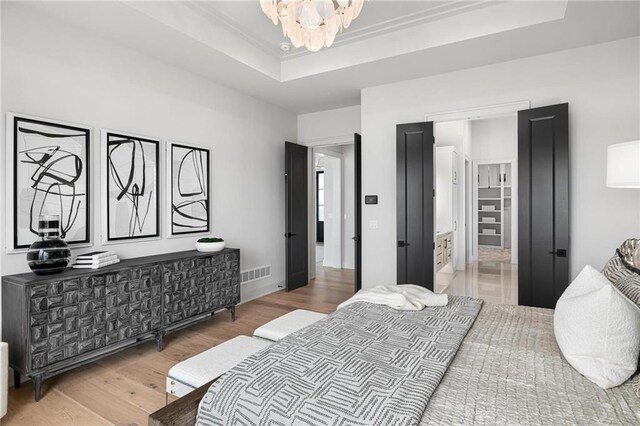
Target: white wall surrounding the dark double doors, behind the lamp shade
(601, 84)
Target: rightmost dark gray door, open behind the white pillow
(543, 205)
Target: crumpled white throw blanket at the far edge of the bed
(405, 297)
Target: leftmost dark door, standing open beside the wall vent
(296, 208)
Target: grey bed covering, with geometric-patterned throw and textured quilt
(508, 371)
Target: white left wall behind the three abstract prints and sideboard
(60, 72)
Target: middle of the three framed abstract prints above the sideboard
(113, 140)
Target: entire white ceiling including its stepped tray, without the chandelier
(233, 43)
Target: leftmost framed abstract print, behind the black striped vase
(47, 161)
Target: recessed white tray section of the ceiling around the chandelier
(432, 25)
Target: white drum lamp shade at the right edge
(623, 165)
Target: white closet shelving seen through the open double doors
(494, 205)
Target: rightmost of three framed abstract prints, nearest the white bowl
(188, 180)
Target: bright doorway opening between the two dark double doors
(476, 165)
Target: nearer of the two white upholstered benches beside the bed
(194, 372)
